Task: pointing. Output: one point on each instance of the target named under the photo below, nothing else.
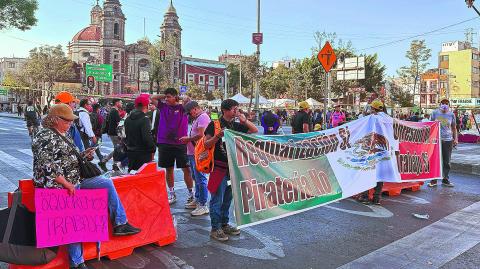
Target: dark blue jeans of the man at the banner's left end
(220, 204)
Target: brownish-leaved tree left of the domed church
(45, 66)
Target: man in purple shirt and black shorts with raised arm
(173, 124)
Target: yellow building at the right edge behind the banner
(459, 70)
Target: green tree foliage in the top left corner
(18, 14)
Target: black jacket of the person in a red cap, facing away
(137, 130)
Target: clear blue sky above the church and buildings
(212, 26)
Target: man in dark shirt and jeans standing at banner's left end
(219, 185)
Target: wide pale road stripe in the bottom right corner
(432, 246)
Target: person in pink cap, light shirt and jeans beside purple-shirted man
(200, 122)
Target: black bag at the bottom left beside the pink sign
(17, 230)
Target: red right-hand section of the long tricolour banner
(419, 150)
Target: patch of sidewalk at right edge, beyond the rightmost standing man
(466, 159)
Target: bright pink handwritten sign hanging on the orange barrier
(63, 219)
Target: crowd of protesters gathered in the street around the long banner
(73, 129)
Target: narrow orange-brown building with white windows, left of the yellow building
(429, 89)
